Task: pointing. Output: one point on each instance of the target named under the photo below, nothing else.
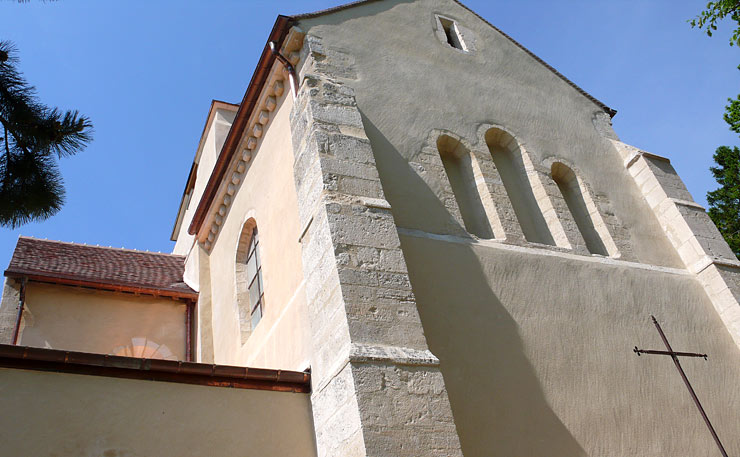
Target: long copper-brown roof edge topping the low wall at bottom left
(55, 360)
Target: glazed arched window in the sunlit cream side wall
(250, 293)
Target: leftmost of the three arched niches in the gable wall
(458, 165)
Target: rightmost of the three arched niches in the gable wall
(584, 211)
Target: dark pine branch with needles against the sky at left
(33, 137)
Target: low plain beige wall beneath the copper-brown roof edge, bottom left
(68, 415)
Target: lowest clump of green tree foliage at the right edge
(724, 203)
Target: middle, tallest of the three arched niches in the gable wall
(507, 156)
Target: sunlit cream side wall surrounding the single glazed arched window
(266, 194)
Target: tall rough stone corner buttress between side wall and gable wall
(377, 390)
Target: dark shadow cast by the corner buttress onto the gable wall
(496, 398)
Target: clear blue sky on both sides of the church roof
(145, 73)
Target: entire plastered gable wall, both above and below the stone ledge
(535, 342)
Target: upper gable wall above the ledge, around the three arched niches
(412, 84)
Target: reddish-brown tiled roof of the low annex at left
(100, 267)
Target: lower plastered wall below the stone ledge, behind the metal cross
(536, 352)
